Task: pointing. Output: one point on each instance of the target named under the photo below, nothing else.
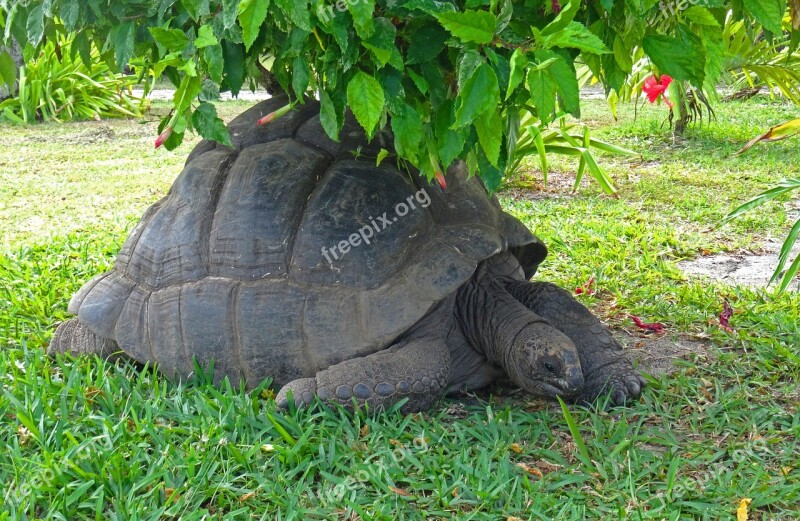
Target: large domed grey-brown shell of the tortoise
(231, 266)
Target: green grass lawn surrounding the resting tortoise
(92, 439)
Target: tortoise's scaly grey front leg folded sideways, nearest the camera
(417, 369)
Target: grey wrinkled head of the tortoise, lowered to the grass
(543, 361)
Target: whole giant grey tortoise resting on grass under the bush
(227, 270)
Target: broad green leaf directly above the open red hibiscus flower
(683, 58)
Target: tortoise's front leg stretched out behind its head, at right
(603, 362)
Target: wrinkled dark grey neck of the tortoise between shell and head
(490, 317)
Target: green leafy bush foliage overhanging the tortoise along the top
(451, 78)
